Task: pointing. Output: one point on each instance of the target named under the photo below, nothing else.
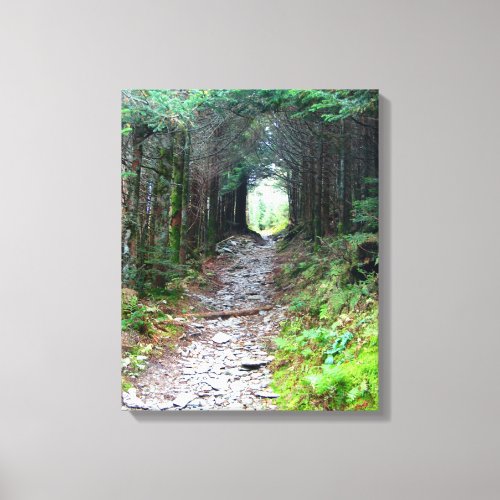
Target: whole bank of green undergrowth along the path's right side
(327, 352)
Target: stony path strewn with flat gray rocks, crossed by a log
(224, 364)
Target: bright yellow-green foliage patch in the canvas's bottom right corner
(344, 376)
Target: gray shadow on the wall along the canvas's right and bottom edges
(384, 414)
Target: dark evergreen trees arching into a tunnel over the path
(190, 157)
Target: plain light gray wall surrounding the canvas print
(62, 433)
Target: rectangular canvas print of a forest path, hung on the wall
(249, 250)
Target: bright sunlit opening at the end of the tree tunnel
(267, 207)
